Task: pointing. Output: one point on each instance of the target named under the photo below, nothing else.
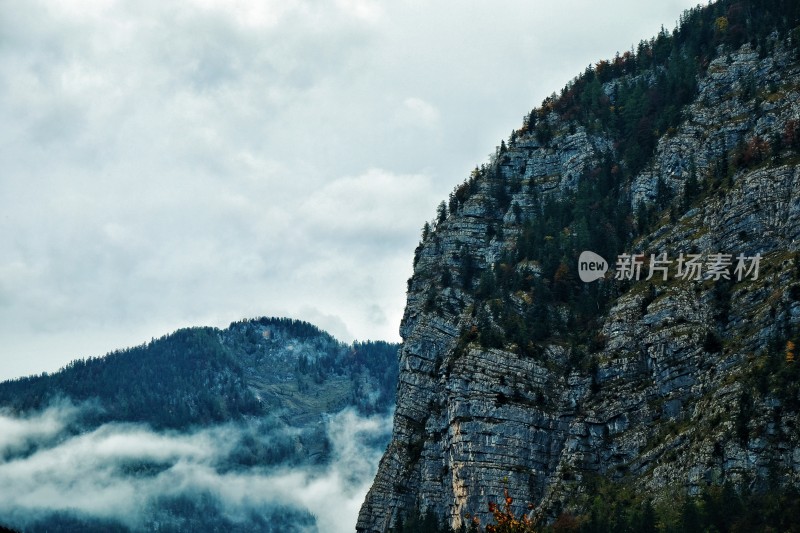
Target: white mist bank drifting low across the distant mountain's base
(121, 473)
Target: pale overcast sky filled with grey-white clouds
(166, 164)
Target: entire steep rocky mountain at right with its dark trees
(654, 383)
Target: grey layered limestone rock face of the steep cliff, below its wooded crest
(670, 384)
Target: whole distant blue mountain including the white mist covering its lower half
(204, 429)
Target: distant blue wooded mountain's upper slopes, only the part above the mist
(199, 376)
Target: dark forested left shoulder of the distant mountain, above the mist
(178, 380)
